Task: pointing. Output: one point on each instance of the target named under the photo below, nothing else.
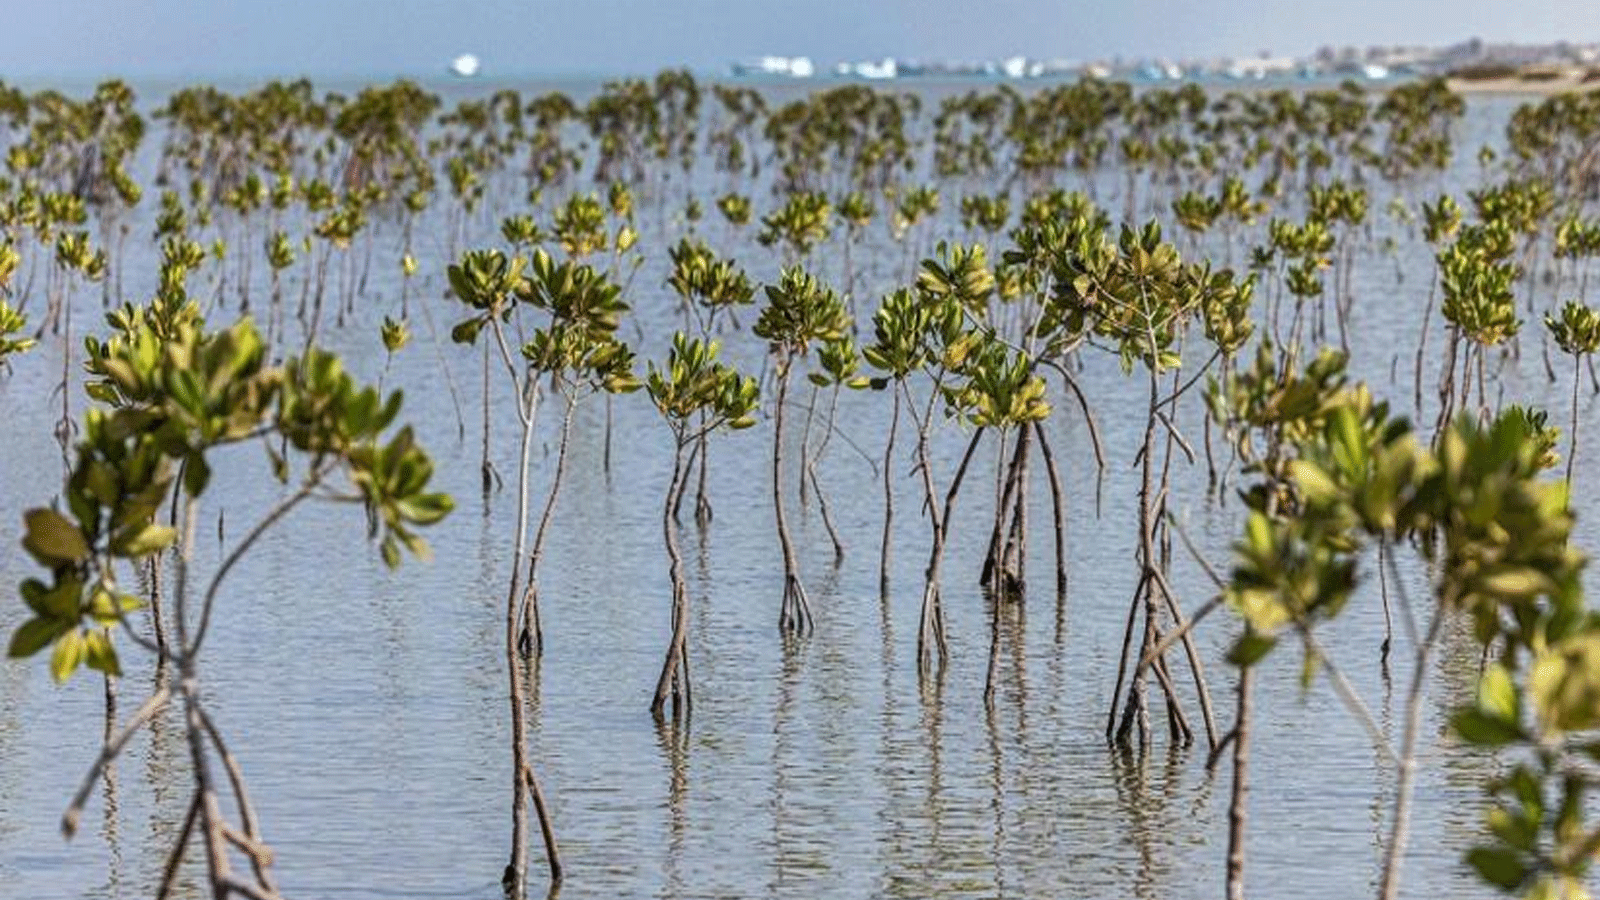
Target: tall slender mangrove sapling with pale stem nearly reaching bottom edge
(487, 283)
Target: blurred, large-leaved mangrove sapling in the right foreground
(1361, 476)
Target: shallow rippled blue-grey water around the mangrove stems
(369, 707)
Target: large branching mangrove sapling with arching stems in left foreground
(178, 401)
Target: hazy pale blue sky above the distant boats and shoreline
(388, 38)
